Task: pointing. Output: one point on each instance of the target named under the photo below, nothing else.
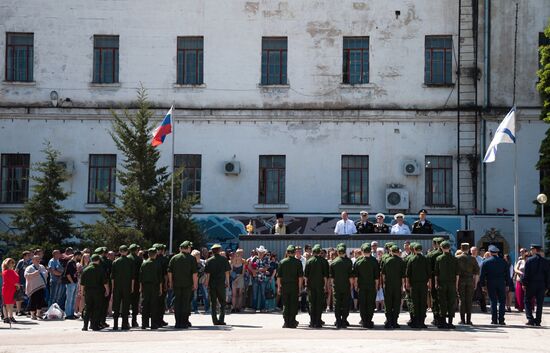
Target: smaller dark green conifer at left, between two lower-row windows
(43, 219)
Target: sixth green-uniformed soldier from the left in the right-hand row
(418, 274)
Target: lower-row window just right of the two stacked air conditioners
(439, 181)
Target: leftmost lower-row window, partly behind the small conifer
(15, 178)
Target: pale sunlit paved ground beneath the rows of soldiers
(263, 333)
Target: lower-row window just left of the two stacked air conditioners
(355, 180)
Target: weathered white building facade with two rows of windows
(322, 106)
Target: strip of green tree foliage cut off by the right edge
(544, 88)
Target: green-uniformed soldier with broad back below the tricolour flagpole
(183, 279)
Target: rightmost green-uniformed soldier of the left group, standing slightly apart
(217, 280)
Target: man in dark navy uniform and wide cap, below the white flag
(495, 278)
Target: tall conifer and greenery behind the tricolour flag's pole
(142, 212)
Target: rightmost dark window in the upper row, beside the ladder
(439, 55)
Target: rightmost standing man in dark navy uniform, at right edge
(535, 281)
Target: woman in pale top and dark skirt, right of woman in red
(35, 274)
